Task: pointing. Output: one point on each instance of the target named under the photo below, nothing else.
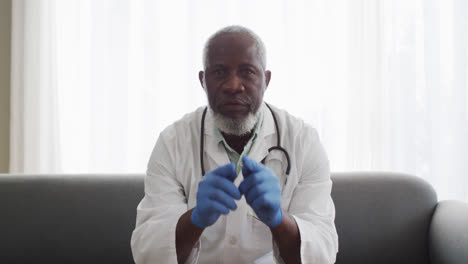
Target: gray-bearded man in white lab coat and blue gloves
(238, 181)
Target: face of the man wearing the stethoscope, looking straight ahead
(234, 78)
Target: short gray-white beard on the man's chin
(237, 127)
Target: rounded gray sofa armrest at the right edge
(448, 234)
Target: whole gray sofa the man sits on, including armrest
(380, 218)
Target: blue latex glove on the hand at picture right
(262, 191)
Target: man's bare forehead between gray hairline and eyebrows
(233, 48)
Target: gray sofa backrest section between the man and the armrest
(382, 217)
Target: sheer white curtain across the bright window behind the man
(384, 82)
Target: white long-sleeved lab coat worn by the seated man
(172, 181)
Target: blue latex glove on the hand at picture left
(215, 196)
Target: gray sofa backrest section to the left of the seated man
(68, 218)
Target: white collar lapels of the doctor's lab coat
(259, 149)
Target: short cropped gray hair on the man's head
(235, 32)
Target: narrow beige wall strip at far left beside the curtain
(5, 39)
